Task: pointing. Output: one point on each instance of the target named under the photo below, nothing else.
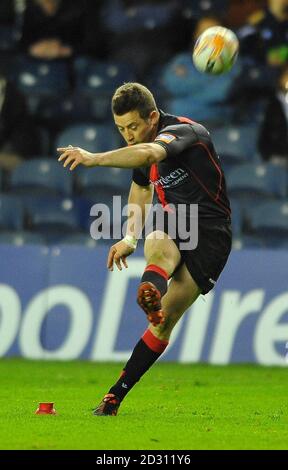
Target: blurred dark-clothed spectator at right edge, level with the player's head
(273, 136)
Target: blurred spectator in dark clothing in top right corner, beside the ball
(263, 53)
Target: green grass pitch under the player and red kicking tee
(173, 407)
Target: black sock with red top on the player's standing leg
(145, 353)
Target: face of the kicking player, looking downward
(136, 130)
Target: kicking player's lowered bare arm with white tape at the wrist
(139, 203)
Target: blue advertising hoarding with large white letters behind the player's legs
(62, 303)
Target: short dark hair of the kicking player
(133, 97)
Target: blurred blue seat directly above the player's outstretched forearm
(90, 136)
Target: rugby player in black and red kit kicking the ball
(176, 157)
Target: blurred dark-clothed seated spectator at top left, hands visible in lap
(53, 29)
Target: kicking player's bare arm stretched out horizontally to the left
(139, 155)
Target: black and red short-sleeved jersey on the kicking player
(191, 173)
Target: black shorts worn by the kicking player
(205, 262)
